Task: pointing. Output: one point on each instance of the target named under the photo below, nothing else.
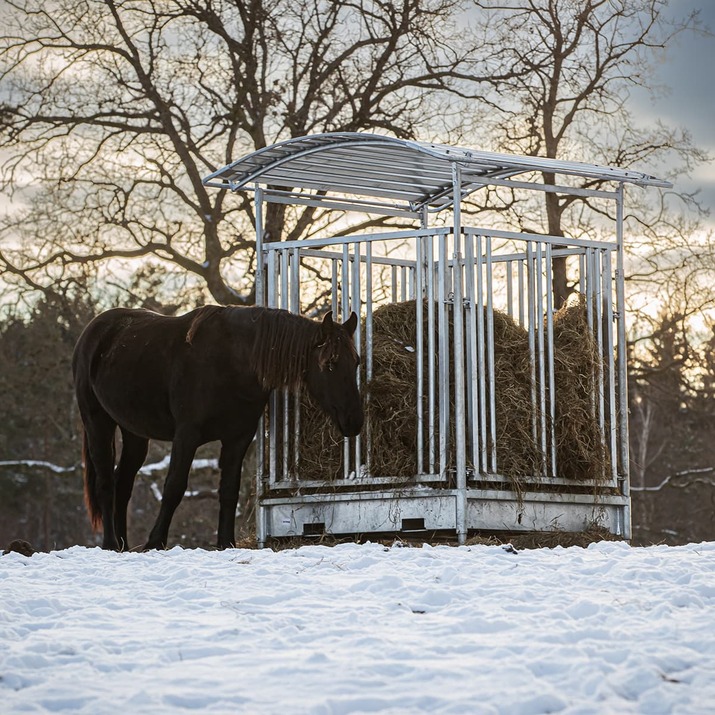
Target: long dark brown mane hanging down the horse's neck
(281, 347)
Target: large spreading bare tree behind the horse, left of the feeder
(113, 111)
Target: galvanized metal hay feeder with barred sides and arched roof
(462, 274)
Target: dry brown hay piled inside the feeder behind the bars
(391, 403)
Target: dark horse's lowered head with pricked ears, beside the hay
(332, 375)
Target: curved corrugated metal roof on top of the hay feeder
(398, 173)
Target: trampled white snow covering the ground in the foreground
(360, 629)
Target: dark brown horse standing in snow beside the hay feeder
(193, 379)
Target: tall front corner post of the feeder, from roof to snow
(461, 457)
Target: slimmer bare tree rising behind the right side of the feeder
(582, 61)
